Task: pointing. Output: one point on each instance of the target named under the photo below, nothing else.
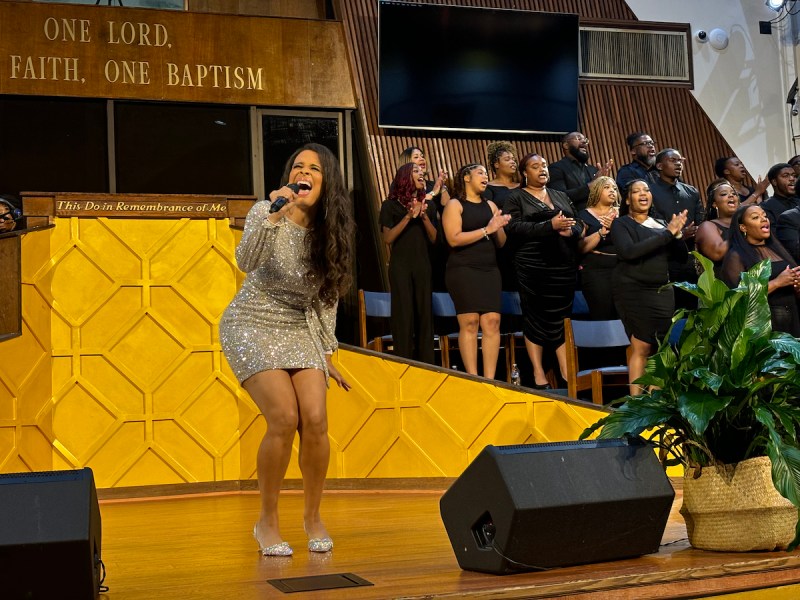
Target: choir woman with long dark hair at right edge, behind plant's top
(751, 242)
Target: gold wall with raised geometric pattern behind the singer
(119, 368)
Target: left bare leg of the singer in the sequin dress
(273, 393)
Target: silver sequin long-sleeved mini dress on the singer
(276, 320)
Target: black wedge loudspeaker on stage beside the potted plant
(537, 506)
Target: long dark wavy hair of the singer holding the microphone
(329, 242)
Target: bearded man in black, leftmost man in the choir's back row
(573, 173)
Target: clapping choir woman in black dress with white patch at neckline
(644, 247)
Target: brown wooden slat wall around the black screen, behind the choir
(608, 111)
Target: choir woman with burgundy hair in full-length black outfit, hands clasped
(409, 226)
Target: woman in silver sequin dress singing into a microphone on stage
(278, 332)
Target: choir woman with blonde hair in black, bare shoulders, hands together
(599, 253)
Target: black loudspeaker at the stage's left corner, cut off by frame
(49, 536)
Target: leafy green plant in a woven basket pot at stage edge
(725, 403)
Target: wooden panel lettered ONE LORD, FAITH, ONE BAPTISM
(113, 52)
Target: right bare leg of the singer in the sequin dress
(315, 446)
